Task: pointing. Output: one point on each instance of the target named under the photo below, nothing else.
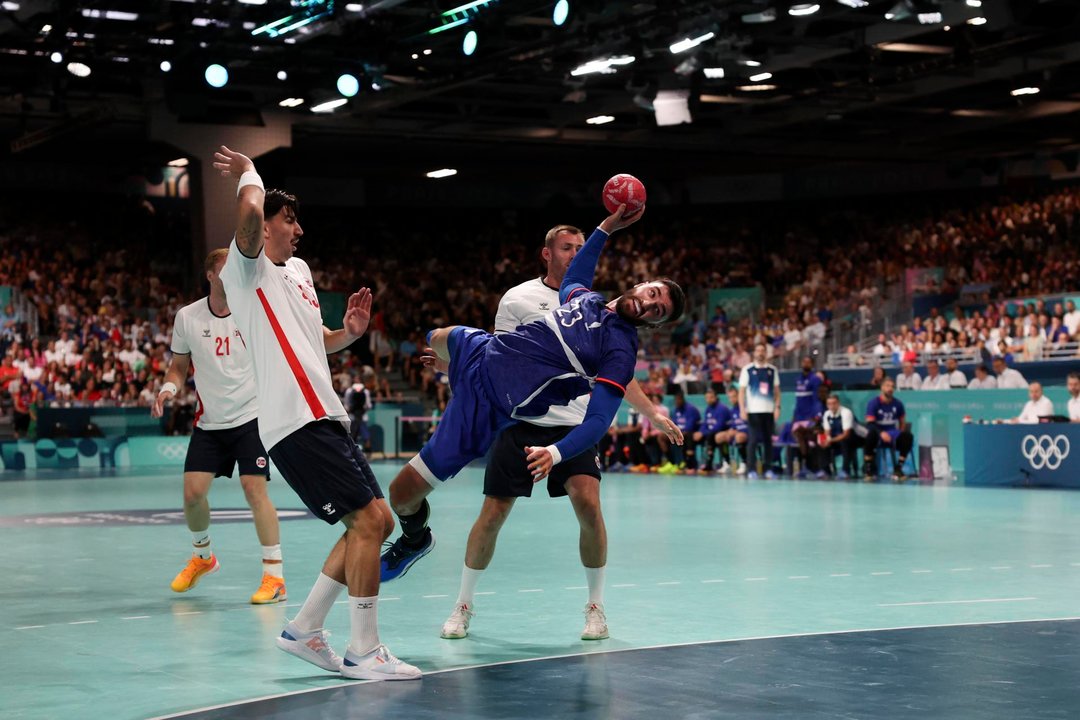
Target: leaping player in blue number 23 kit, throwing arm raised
(588, 345)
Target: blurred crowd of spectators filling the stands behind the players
(106, 282)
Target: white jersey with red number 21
(225, 388)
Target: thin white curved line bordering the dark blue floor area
(339, 686)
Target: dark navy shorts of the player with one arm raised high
(327, 470)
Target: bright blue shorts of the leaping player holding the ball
(470, 425)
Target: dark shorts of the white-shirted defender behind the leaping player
(508, 473)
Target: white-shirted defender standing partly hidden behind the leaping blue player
(508, 477)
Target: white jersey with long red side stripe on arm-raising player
(277, 309)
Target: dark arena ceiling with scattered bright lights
(937, 81)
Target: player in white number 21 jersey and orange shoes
(226, 431)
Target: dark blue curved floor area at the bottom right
(977, 673)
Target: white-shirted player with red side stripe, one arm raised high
(303, 423)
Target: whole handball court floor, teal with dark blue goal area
(725, 599)
